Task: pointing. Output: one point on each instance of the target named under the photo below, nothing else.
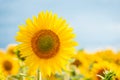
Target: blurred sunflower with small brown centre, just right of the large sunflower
(82, 64)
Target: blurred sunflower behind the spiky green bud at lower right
(100, 68)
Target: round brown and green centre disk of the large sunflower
(45, 44)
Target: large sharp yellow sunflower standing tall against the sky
(46, 42)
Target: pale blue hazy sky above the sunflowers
(95, 22)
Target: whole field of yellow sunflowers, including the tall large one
(46, 51)
